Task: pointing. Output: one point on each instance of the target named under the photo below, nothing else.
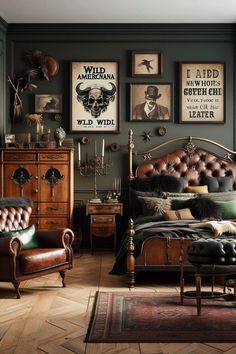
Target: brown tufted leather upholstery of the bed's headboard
(193, 165)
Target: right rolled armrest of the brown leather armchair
(56, 238)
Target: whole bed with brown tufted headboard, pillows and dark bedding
(152, 243)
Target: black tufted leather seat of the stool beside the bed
(213, 251)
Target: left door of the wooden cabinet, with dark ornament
(20, 180)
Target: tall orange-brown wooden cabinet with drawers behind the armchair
(44, 176)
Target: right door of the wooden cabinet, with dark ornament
(54, 183)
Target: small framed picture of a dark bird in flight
(147, 64)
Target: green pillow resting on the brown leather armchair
(27, 236)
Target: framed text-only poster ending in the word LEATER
(202, 92)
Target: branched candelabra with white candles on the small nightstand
(94, 166)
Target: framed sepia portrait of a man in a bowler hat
(151, 102)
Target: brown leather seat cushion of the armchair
(35, 260)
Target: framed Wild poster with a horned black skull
(95, 97)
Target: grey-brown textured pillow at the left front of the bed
(154, 206)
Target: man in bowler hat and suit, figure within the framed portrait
(150, 109)
